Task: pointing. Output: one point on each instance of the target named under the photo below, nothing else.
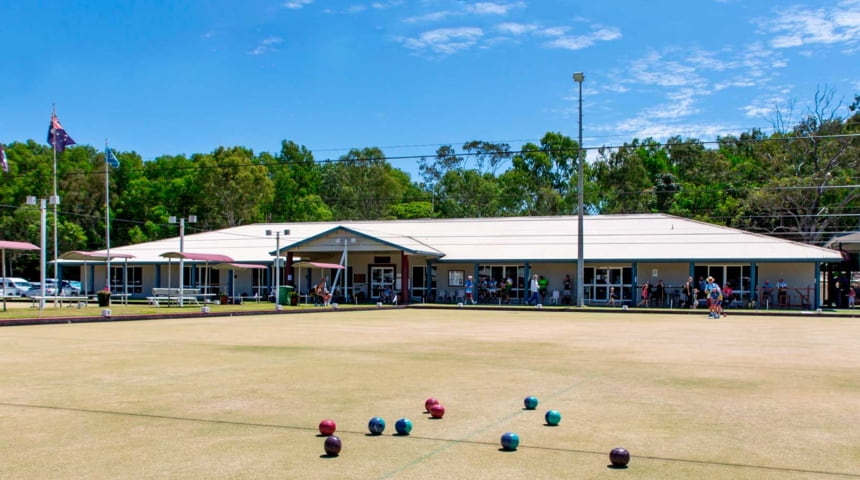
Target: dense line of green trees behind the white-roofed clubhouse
(800, 183)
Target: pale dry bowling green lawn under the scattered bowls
(236, 398)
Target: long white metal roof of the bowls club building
(608, 238)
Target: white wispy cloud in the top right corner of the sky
(797, 26)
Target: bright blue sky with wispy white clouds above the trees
(164, 77)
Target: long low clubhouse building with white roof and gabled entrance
(430, 260)
